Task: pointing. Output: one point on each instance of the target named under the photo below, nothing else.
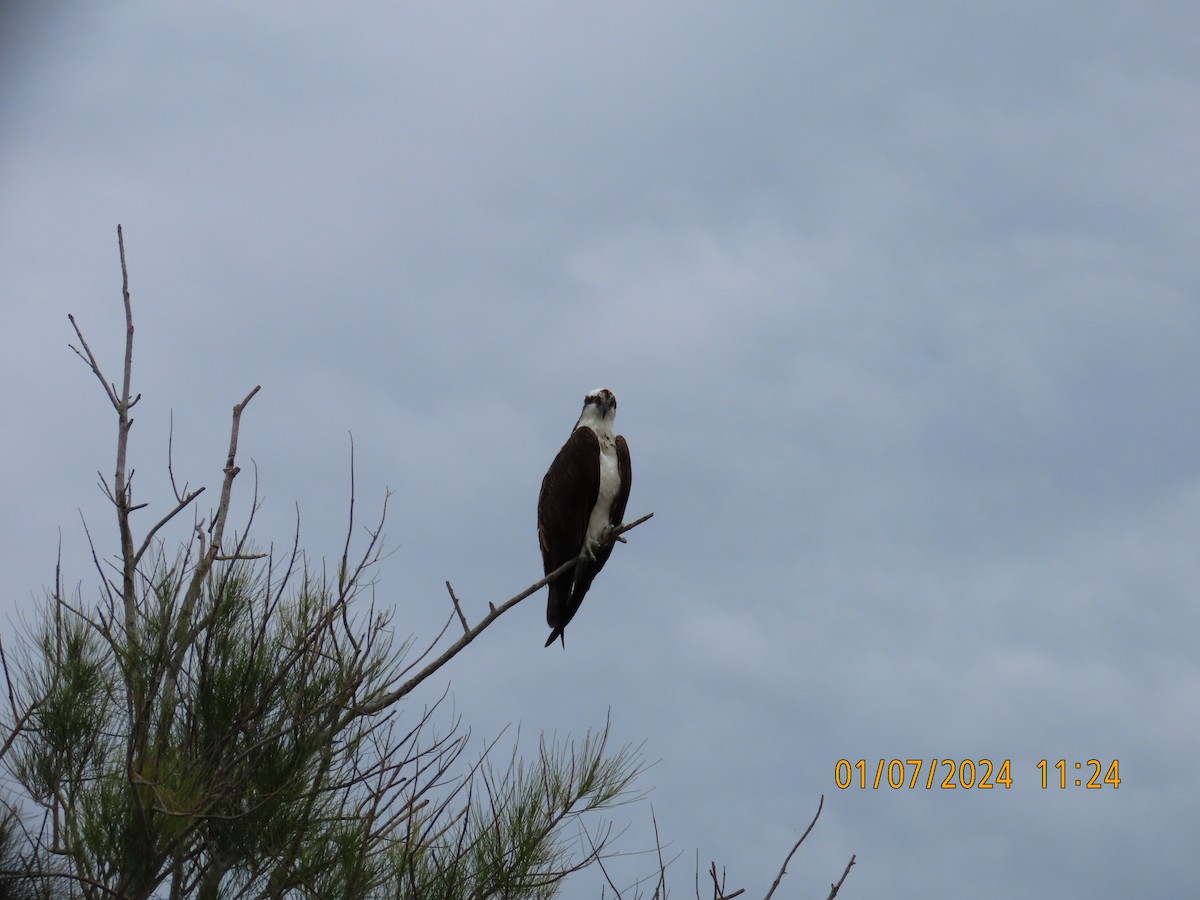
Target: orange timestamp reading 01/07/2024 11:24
(973, 775)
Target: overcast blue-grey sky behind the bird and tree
(902, 304)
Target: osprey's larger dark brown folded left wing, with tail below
(569, 491)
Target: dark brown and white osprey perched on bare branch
(583, 500)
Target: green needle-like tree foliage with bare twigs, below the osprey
(225, 723)
